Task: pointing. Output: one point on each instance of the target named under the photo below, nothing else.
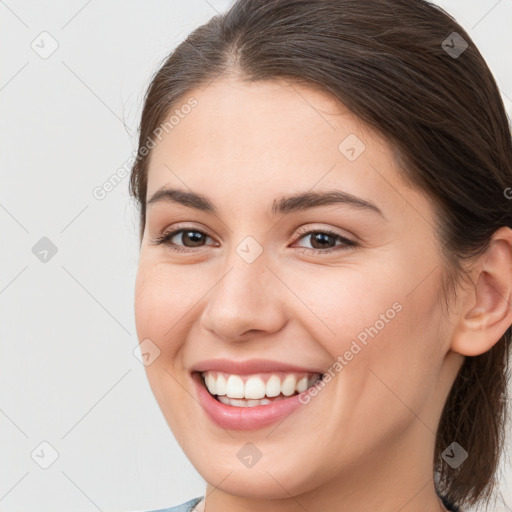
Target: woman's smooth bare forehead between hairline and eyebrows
(255, 139)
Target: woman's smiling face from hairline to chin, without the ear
(248, 283)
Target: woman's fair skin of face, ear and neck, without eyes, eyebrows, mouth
(366, 441)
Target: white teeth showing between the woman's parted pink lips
(256, 389)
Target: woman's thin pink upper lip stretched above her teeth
(249, 366)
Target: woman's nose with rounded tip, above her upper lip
(248, 299)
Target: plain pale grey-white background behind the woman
(68, 373)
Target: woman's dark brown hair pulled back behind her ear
(398, 65)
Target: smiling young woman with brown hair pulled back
(325, 260)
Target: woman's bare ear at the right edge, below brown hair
(487, 306)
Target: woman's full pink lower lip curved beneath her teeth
(245, 418)
